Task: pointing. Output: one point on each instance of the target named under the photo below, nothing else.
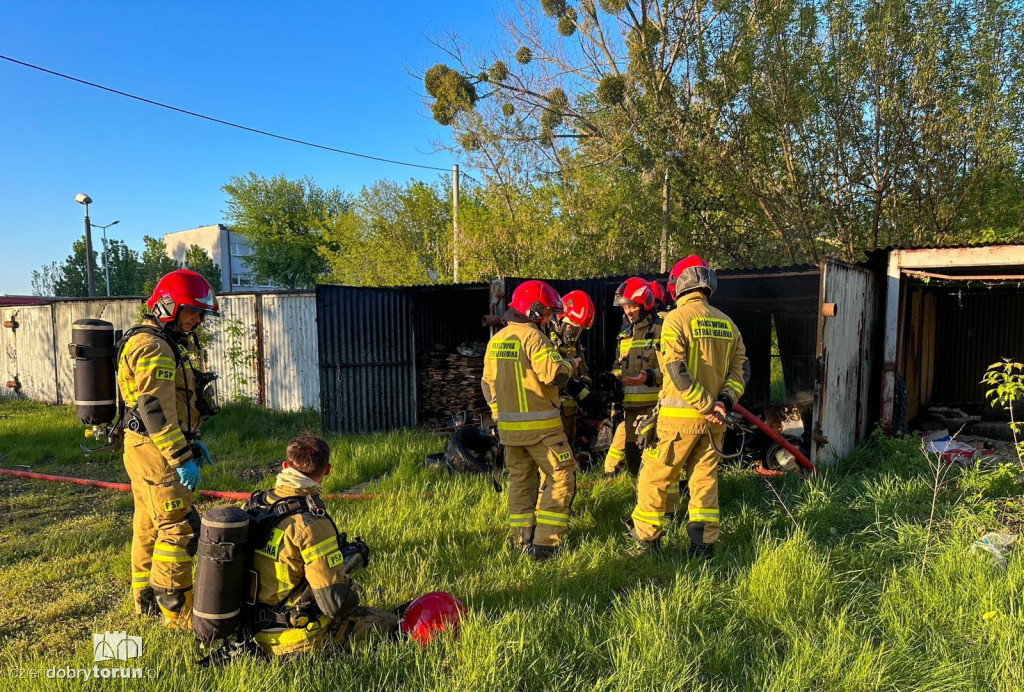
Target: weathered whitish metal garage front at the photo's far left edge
(29, 356)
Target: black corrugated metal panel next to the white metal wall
(367, 353)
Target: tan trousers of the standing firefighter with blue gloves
(165, 531)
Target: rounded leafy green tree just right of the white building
(285, 223)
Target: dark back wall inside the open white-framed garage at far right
(973, 331)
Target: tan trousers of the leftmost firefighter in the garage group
(542, 485)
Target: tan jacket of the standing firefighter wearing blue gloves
(162, 391)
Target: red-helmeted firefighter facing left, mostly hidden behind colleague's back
(579, 317)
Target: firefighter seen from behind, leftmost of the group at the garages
(523, 373)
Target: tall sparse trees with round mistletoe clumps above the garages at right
(785, 128)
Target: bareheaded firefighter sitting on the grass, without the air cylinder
(305, 595)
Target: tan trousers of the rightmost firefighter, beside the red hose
(676, 455)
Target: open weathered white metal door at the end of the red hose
(847, 354)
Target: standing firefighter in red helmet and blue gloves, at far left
(163, 454)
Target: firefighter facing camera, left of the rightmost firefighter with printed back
(637, 367)
